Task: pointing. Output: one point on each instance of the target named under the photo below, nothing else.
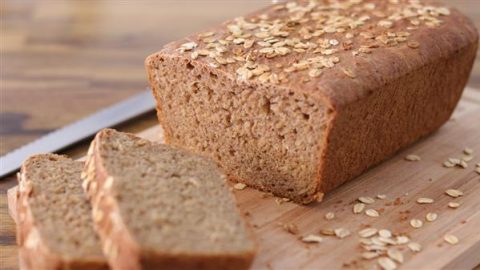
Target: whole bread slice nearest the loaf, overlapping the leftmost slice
(156, 207)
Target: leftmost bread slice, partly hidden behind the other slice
(53, 215)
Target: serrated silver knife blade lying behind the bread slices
(59, 139)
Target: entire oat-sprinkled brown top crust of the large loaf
(339, 50)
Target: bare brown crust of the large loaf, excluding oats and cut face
(398, 96)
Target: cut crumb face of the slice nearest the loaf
(170, 200)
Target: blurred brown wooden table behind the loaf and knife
(62, 60)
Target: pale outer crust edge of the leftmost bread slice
(34, 253)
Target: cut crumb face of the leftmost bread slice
(60, 210)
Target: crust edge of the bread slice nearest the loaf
(120, 247)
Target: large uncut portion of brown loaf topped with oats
(302, 96)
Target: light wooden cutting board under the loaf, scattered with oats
(402, 182)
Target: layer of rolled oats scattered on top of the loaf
(317, 34)
